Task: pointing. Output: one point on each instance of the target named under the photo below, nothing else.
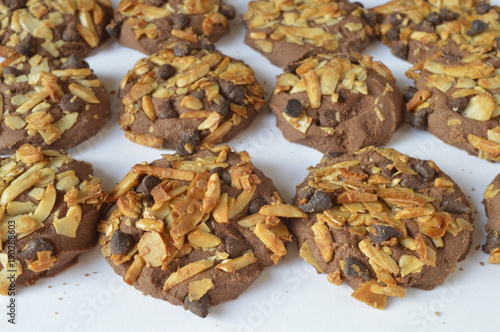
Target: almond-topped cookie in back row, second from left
(150, 26)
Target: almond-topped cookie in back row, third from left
(285, 32)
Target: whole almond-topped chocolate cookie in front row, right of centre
(381, 222)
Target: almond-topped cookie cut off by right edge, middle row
(457, 99)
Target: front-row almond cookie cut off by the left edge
(49, 211)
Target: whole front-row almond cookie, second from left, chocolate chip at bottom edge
(195, 230)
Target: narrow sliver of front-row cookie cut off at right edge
(492, 206)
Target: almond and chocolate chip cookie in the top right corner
(416, 29)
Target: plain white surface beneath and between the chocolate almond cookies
(287, 297)
